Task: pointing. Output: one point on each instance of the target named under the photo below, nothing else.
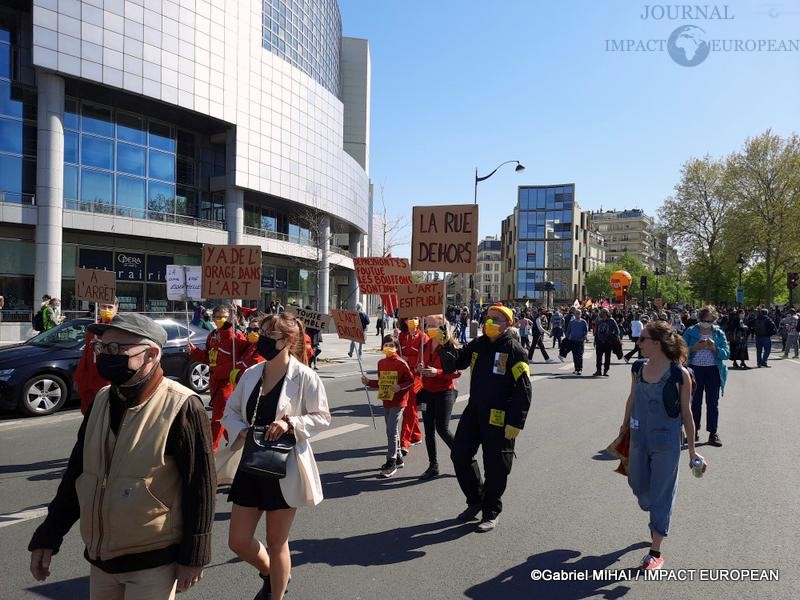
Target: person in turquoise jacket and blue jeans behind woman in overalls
(708, 351)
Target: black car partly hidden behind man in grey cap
(36, 376)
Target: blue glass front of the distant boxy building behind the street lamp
(545, 248)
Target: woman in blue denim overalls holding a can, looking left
(655, 436)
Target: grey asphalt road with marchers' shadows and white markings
(565, 509)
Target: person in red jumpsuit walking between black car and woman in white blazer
(218, 354)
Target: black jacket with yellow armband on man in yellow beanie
(499, 378)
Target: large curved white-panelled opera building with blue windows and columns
(132, 134)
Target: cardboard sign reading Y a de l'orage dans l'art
(231, 272)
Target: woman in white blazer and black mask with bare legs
(288, 396)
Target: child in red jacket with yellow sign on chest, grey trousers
(393, 383)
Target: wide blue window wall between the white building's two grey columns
(127, 163)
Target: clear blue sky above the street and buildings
(460, 84)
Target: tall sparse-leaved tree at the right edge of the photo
(764, 181)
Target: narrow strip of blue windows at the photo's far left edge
(17, 123)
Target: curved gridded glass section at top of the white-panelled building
(307, 34)
